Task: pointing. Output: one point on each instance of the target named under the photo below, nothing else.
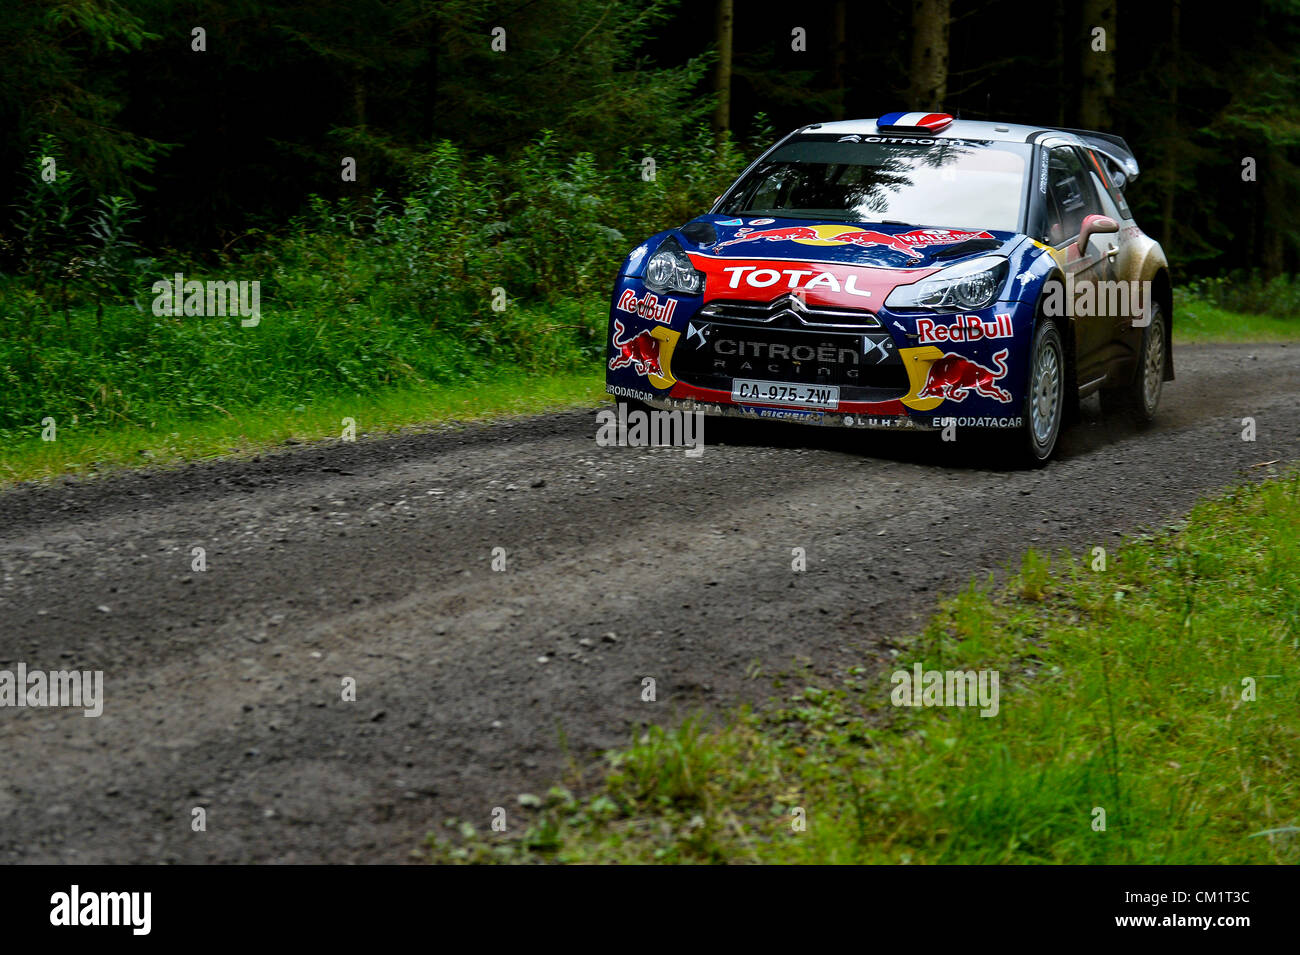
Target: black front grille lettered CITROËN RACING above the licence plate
(865, 366)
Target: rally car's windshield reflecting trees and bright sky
(951, 184)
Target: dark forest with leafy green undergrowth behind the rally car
(441, 192)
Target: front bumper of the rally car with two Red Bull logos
(911, 372)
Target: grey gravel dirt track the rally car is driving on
(372, 561)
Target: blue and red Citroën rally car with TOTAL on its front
(909, 272)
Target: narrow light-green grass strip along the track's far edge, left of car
(92, 452)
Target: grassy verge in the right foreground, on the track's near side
(1121, 689)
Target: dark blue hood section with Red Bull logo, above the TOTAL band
(842, 244)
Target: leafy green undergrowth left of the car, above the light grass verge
(357, 296)
